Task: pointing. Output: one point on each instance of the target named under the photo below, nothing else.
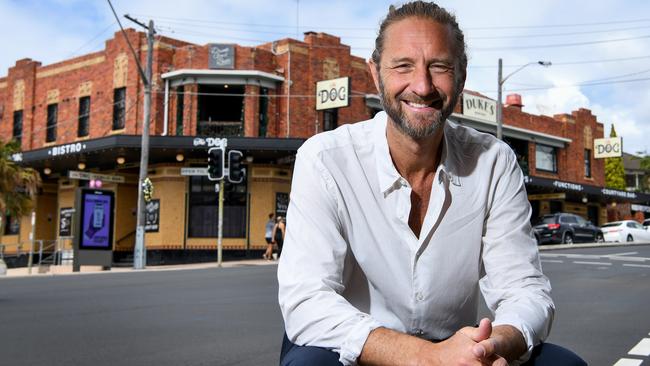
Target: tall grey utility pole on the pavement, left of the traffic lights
(140, 250)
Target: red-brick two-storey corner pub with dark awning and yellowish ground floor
(81, 119)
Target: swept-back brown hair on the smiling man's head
(425, 10)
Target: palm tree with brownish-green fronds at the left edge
(18, 184)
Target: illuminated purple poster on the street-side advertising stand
(95, 230)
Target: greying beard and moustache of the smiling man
(395, 112)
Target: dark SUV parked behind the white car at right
(566, 228)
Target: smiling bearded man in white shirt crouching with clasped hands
(395, 223)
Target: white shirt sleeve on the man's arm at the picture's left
(311, 269)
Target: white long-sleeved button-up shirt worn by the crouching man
(351, 263)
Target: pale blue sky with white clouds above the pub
(599, 50)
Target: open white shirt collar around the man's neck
(388, 176)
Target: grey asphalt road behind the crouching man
(229, 316)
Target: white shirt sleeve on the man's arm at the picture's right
(514, 287)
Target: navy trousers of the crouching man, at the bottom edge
(546, 354)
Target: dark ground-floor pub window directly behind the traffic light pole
(203, 217)
